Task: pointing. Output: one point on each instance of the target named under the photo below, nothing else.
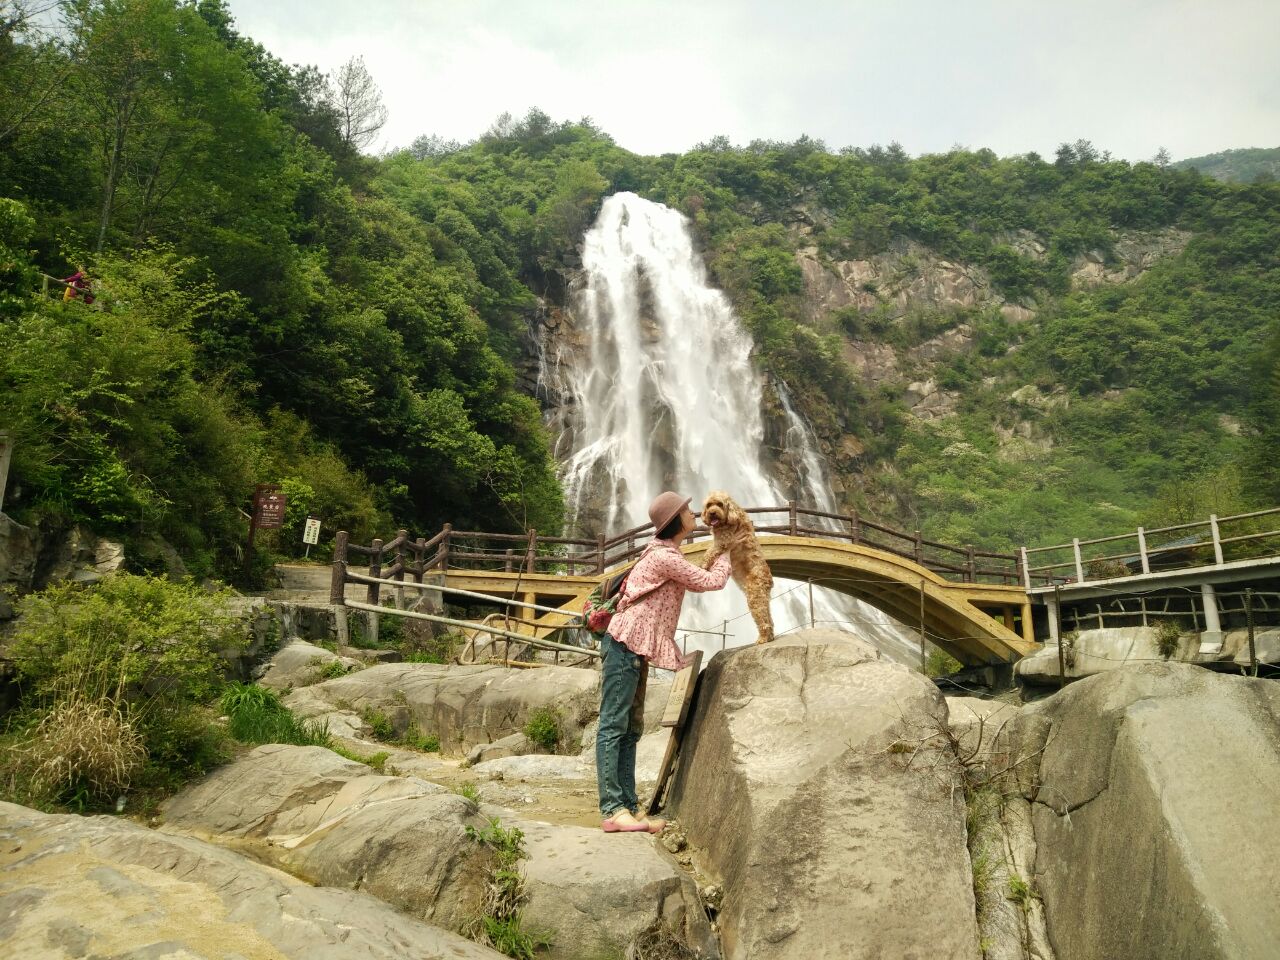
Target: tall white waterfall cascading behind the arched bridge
(662, 395)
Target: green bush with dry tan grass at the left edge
(115, 678)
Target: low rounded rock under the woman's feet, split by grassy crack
(335, 822)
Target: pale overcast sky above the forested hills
(1194, 76)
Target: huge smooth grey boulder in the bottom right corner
(1154, 793)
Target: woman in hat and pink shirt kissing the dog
(644, 633)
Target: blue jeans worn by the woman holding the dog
(623, 687)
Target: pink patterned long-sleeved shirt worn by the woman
(659, 583)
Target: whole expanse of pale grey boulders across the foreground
(829, 804)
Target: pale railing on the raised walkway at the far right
(1204, 543)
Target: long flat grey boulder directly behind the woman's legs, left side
(464, 706)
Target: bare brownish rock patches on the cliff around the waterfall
(904, 282)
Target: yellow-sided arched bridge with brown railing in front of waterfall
(966, 614)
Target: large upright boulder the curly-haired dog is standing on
(816, 788)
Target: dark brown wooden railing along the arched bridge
(532, 554)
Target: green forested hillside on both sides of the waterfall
(281, 308)
